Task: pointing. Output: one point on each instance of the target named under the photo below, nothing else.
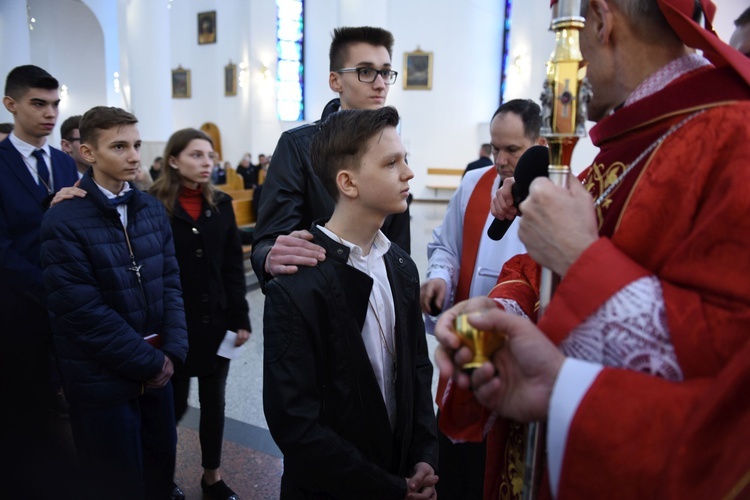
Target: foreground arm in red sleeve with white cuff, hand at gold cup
(668, 440)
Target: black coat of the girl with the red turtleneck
(212, 273)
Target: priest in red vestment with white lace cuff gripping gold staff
(655, 277)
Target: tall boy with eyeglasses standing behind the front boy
(293, 196)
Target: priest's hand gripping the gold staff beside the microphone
(558, 223)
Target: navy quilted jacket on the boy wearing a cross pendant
(98, 310)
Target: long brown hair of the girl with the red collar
(168, 187)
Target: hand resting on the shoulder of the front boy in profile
(293, 250)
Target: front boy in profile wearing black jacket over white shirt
(347, 379)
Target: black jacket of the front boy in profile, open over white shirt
(322, 402)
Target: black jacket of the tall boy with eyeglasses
(294, 197)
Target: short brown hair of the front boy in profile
(341, 141)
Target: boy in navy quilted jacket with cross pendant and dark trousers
(117, 316)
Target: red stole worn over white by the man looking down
(474, 220)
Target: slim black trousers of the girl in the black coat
(211, 394)
